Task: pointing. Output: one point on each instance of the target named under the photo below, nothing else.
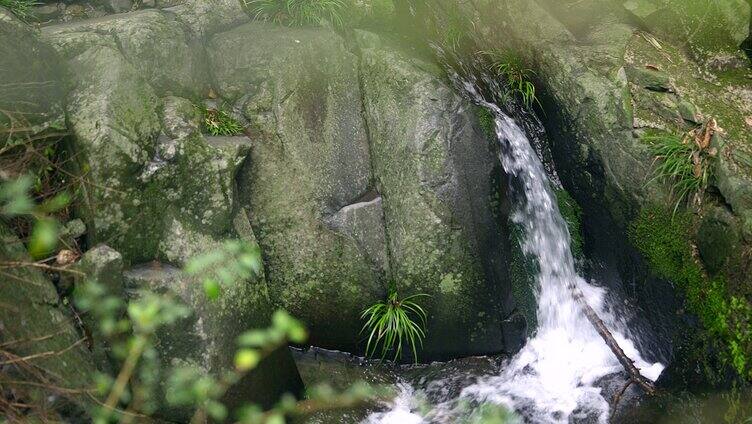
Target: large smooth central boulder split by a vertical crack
(337, 217)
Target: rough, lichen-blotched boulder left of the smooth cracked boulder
(156, 187)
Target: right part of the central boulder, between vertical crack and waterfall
(436, 172)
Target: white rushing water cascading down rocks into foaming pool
(555, 377)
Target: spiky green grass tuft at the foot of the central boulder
(394, 323)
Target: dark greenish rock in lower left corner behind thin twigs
(33, 321)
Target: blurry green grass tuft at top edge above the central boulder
(298, 12)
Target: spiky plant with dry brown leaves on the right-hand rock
(684, 162)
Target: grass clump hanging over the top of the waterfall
(517, 77)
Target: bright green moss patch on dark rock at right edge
(664, 239)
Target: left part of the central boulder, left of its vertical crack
(309, 160)
